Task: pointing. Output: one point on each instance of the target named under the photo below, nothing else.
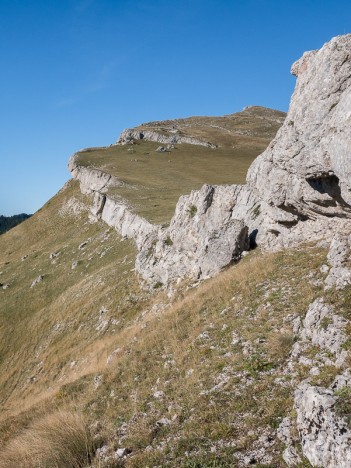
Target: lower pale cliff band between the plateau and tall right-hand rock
(192, 246)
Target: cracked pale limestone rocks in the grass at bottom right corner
(324, 435)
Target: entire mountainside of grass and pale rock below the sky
(146, 326)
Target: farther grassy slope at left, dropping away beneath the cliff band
(43, 328)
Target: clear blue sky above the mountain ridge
(74, 73)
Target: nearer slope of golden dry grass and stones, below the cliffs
(163, 351)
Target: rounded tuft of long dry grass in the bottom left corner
(60, 439)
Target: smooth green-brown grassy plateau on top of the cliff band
(153, 181)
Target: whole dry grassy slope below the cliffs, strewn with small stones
(220, 398)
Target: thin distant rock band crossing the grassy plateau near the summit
(131, 134)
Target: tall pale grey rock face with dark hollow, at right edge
(303, 178)
